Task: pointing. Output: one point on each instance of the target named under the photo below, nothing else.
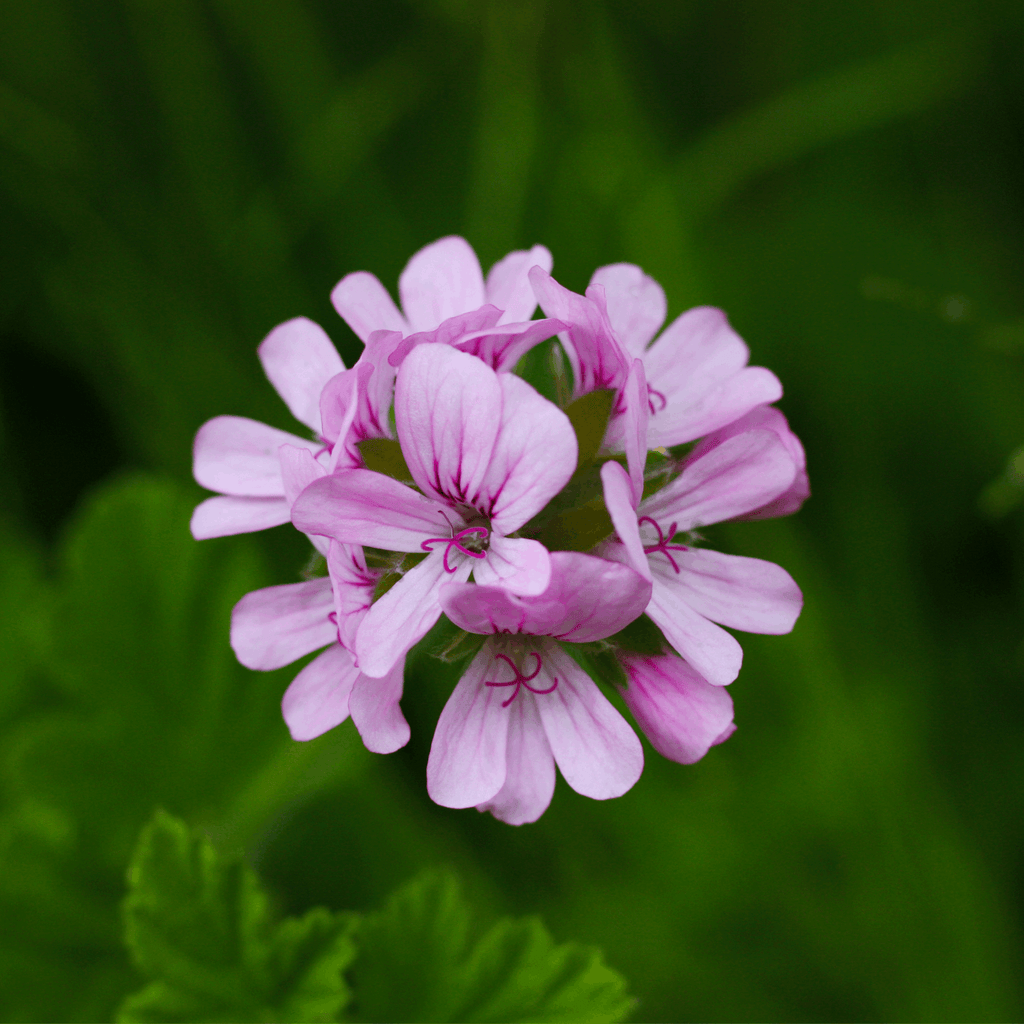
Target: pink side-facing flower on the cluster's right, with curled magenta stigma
(695, 588)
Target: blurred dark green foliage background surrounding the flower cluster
(844, 180)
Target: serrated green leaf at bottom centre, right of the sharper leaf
(515, 973)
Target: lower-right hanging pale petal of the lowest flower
(594, 747)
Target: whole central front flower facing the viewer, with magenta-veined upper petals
(488, 453)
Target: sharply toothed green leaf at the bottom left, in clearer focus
(201, 926)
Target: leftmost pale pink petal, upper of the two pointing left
(239, 457)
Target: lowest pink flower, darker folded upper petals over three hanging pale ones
(499, 739)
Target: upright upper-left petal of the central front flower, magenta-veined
(448, 410)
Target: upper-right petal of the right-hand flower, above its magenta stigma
(743, 474)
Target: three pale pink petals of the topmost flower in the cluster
(442, 281)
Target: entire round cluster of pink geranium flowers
(438, 481)
